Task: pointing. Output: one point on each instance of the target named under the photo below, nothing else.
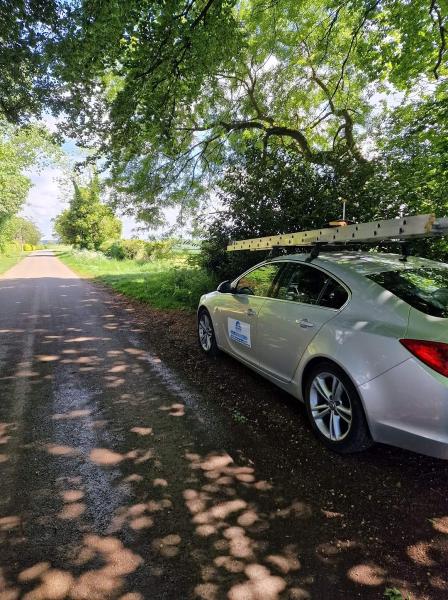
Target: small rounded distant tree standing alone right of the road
(87, 223)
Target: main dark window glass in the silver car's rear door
(300, 283)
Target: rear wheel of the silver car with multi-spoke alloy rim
(335, 410)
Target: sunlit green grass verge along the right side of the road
(164, 283)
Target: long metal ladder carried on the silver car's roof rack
(343, 235)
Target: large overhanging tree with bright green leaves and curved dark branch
(169, 108)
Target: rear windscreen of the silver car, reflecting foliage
(425, 289)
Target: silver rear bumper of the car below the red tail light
(408, 407)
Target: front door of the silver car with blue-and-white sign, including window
(237, 312)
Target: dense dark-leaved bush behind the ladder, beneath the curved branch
(272, 195)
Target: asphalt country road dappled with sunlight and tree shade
(119, 482)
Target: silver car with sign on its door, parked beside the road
(360, 338)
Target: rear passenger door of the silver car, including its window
(303, 300)
